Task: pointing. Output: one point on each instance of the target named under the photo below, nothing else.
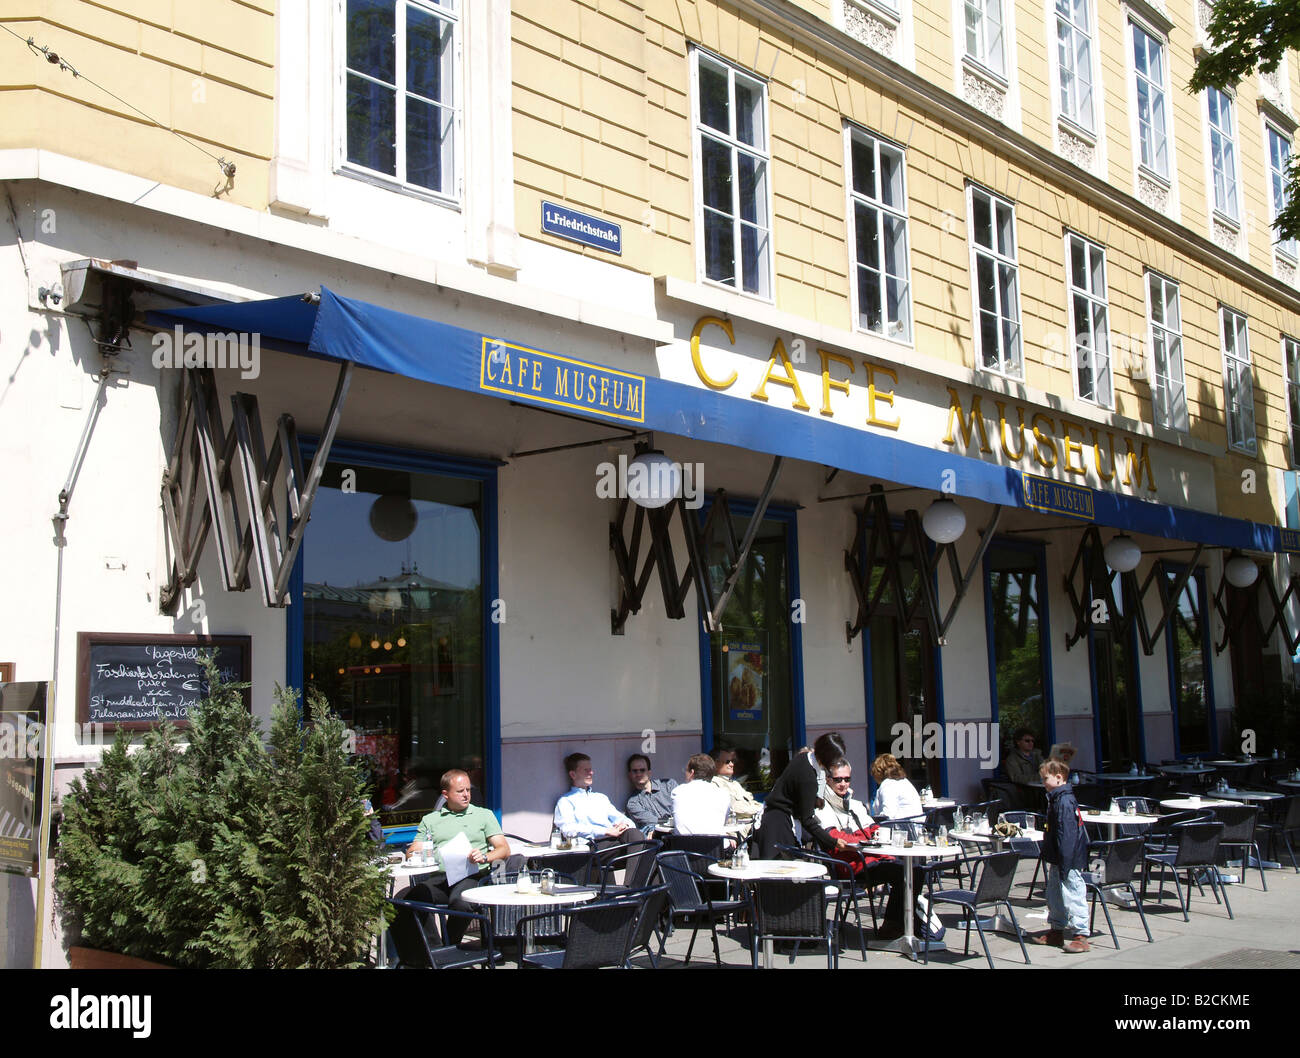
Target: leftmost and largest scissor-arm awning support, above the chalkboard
(244, 510)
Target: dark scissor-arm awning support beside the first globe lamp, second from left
(634, 583)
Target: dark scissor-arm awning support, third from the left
(878, 544)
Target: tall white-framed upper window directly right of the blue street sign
(734, 163)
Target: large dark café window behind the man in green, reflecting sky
(396, 578)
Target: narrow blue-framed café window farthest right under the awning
(1190, 686)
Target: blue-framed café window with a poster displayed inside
(753, 678)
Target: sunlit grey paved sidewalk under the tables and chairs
(1264, 934)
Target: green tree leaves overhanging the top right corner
(1249, 36)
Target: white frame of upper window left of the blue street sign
(448, 12)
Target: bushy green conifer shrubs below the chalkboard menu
(223, 855)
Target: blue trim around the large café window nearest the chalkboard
(413, 459)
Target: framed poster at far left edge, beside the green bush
(23, 726)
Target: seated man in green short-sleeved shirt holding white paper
(456, 819)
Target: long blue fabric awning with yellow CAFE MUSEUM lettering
(500, 366)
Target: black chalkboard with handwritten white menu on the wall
(135, 682)
